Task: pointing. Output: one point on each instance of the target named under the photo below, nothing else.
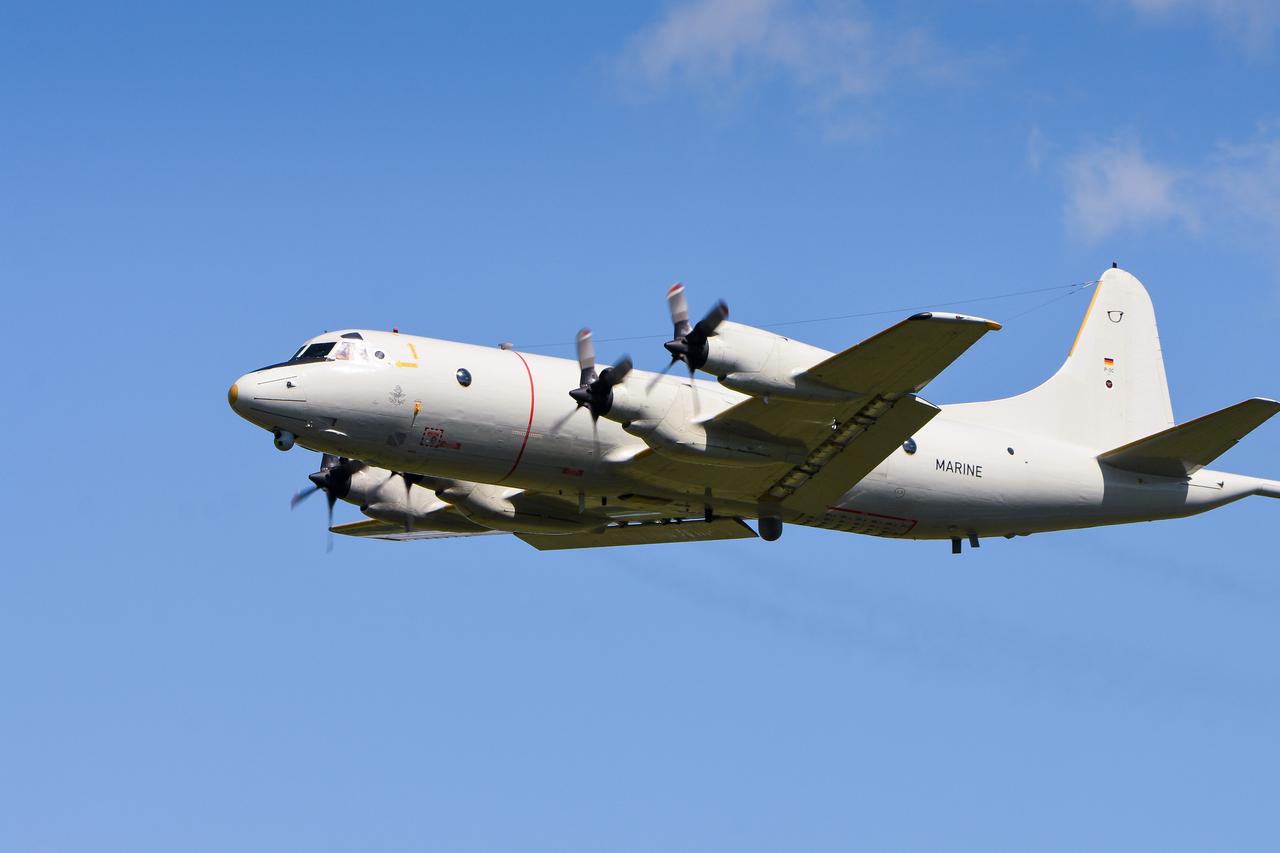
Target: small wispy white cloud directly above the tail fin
(1114, 186)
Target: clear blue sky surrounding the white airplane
(189, 191)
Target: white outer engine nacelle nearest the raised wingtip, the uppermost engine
(760, 363)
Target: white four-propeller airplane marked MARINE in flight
(436, 439)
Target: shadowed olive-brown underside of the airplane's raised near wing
(863, 407)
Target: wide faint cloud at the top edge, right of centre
(831, 52)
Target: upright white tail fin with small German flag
(1112, 390)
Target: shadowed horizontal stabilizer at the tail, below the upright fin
(1183, 450)
